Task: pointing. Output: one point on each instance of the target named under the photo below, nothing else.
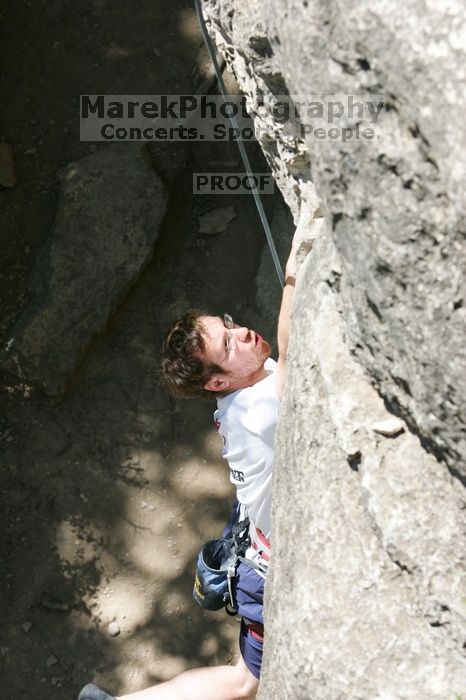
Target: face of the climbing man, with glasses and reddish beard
(239, 351)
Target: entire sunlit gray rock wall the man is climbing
(366, 597)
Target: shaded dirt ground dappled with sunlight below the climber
(108, 492)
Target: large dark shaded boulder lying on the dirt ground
(110, 207)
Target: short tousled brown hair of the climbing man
(183, 370)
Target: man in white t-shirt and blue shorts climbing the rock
(212, 356)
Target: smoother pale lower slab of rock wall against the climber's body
(367, 588)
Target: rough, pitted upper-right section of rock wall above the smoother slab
(396, 206)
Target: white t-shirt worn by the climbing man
(246, 419)
